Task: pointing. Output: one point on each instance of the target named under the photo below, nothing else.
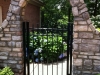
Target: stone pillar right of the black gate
(86, 54)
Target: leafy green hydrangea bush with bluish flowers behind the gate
(47, 48)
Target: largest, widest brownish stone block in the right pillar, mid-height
(88, 48)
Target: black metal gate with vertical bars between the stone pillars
(47, 51)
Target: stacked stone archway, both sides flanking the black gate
(86, 44)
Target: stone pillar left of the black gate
(11, 50)
